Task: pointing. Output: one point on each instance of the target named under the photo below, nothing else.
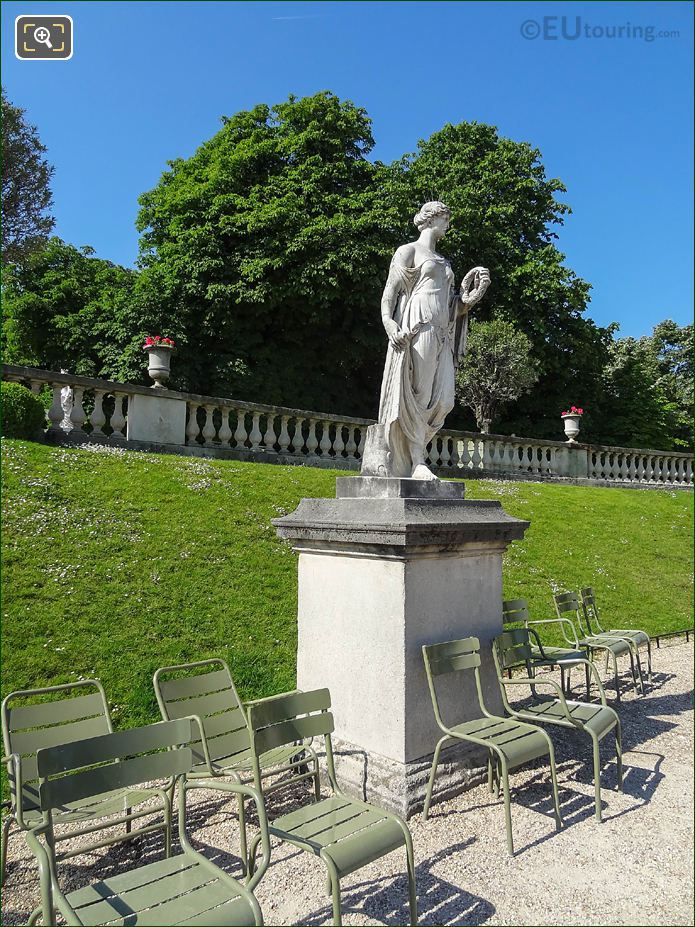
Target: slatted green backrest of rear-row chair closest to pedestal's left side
(183, 691)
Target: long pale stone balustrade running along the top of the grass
(166, 420)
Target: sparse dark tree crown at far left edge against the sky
(26, 194)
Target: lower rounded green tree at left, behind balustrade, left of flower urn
(63, 307)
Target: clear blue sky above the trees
(149, 81)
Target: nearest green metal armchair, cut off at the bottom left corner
(183, 889)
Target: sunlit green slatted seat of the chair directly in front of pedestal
(351, 833)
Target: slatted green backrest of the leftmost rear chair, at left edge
(67, 713)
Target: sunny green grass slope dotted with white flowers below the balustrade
(116, 563)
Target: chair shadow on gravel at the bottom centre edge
(385, 900)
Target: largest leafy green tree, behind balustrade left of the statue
(264, 255)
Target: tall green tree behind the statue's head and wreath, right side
(504, 214)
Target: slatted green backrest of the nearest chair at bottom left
(76, 771)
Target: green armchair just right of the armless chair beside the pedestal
(514, 647)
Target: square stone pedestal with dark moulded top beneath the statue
(385, 567)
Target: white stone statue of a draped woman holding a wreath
(426, 323)
